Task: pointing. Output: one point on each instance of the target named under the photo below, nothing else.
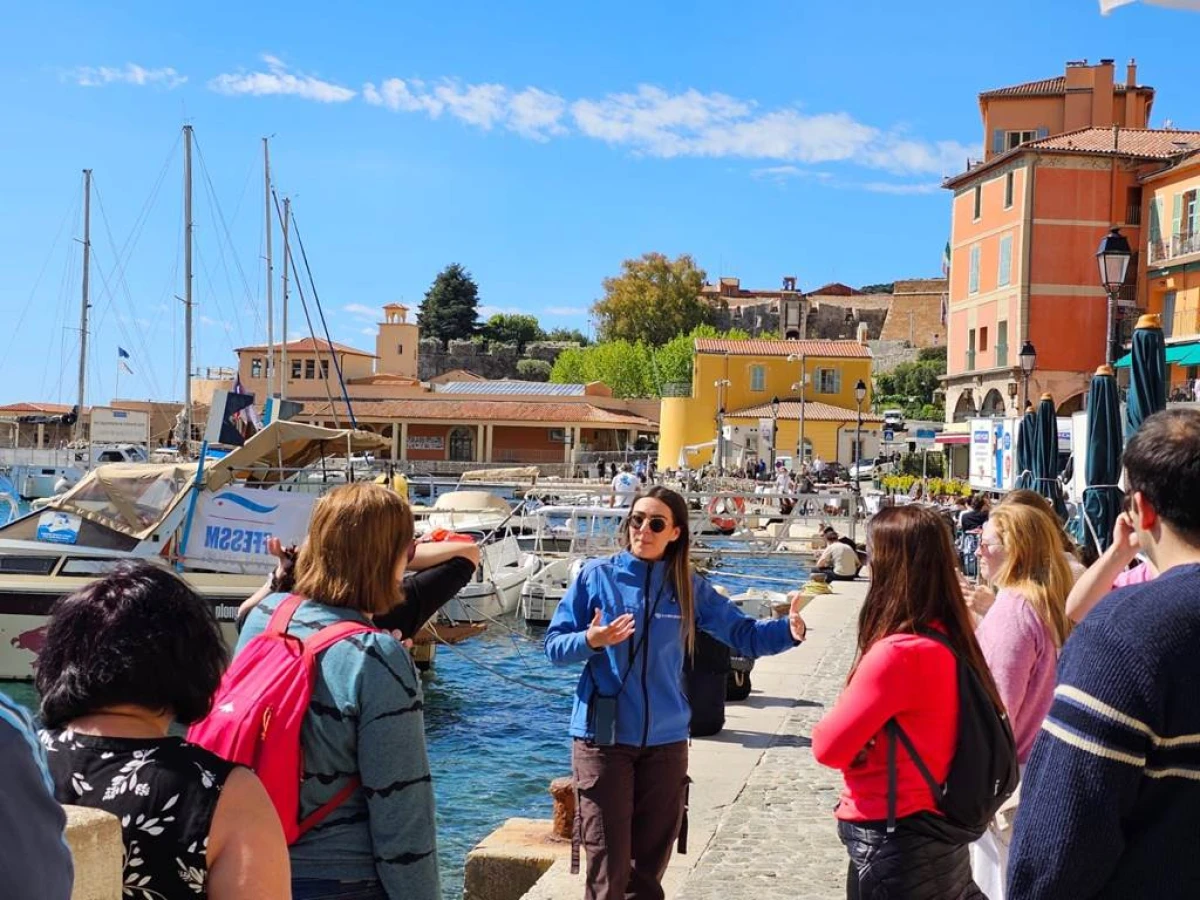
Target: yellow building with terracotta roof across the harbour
(741, 380)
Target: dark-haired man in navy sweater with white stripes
(1109, 799)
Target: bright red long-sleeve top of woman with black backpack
(915, 681)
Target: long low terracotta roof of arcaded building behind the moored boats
(482, 411)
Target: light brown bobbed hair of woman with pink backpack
(358, 536)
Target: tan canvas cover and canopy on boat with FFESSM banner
(137, 499)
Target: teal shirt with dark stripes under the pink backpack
(365, 719)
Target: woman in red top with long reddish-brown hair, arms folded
(901, 675)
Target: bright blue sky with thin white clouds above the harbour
(537, 143)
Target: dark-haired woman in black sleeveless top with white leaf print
(124, 658)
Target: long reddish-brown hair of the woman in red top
(915, 585)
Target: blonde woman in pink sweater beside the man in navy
(1021, 639)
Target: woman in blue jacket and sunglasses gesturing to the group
(629, 619)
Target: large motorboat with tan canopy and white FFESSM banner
(207, 520)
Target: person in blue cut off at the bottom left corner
(35, 862)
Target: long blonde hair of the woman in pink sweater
(1035, 565)
